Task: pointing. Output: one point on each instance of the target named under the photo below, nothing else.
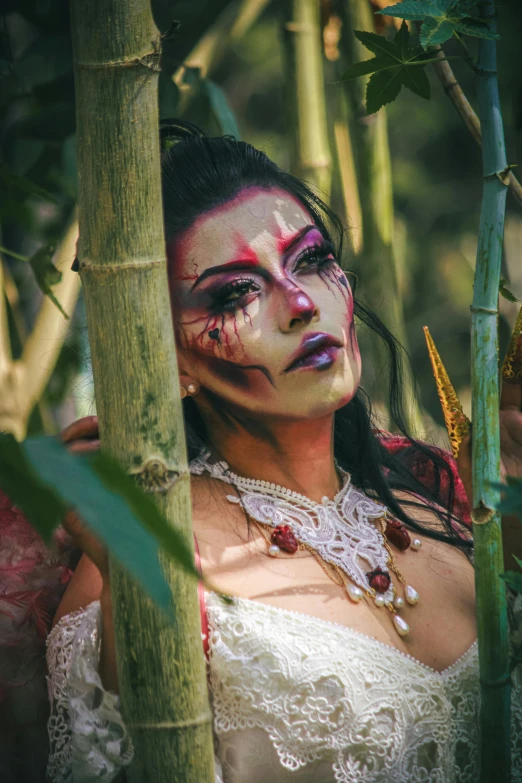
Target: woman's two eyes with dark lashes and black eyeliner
(238, 292)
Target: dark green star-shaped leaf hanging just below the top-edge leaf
(398, 63)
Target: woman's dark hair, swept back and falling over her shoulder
(200, 173)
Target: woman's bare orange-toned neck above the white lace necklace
(297, 455)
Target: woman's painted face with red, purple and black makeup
(263, 313)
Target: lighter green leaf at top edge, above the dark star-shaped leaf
(441, 19)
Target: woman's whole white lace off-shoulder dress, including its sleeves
(295, 699)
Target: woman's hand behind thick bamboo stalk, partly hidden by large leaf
(82, 437)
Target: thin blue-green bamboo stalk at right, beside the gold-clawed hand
(492, 628)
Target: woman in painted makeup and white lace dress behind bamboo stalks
(326, 666)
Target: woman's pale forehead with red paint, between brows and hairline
(255, 220)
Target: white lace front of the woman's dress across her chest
(325, 692)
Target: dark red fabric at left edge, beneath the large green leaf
(33, 578)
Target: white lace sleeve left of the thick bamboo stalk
(88, 739)
